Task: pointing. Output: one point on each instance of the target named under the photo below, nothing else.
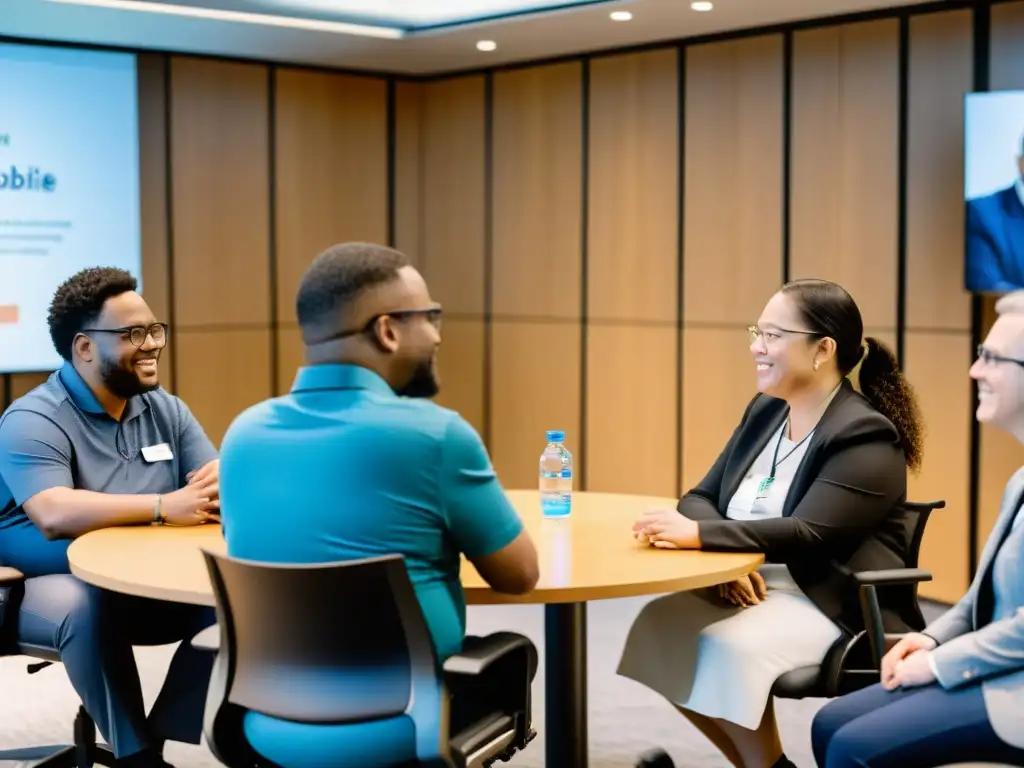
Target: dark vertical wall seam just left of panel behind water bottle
(489, 254)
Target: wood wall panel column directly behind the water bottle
(536, 276)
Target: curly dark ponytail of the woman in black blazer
(886, 389)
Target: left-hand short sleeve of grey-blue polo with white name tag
(35, 455)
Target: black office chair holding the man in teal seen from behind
(346, 645)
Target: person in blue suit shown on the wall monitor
(996, 238)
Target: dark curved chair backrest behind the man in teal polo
(330, 644)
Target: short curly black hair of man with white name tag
(79, 302)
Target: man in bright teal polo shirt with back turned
(356, 462)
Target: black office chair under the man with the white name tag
(86, 752)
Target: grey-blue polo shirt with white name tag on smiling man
(59, 436)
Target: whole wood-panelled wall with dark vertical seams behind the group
(601, 232)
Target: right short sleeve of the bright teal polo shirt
(481, 519)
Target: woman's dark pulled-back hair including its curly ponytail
(830, 311)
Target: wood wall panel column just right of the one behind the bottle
(632, 275)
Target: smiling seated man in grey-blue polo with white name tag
(101, 445)
